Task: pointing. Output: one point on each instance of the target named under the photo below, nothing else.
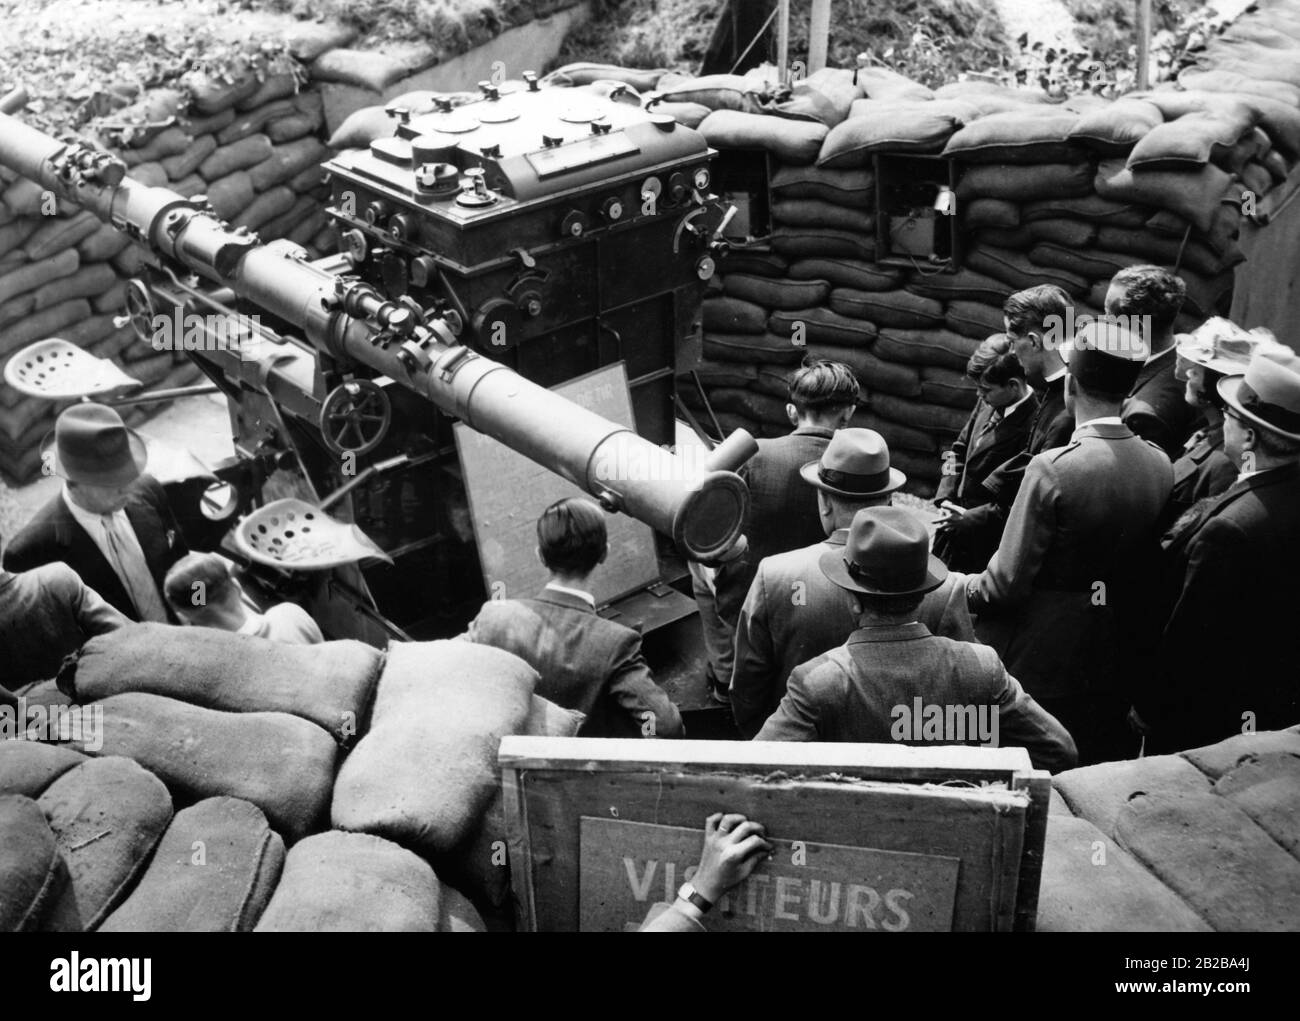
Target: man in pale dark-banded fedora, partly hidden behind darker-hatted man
(794, 612)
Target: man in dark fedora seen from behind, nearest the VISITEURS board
(892, 661)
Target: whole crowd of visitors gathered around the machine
(1111, 570)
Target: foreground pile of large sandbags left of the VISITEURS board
(332, 788)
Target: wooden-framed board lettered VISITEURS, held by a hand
(868, 838)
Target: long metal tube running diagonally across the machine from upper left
(348, 319)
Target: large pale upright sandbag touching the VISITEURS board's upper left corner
(427, 771)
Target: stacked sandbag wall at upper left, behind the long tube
(252, 146)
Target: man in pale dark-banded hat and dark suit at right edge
(1228, 652)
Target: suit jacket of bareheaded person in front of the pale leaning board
(586, 663)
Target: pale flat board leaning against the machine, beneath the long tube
(508, 494)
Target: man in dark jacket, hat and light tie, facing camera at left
(111, 524)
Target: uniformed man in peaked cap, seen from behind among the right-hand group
(1068, 592)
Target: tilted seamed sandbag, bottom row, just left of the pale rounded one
(214, 872)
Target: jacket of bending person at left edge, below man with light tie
(46, 615)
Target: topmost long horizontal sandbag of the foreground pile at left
(331, 685)
